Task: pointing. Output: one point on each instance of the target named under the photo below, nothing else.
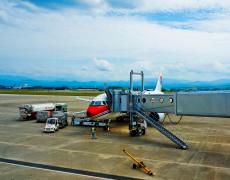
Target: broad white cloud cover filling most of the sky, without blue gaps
(122, 42)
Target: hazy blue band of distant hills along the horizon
(168, 84)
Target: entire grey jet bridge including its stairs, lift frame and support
(136, 103)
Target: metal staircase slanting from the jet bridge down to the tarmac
(161, 129)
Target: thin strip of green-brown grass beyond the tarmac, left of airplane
(53, 92)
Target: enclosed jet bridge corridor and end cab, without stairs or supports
(201, 103)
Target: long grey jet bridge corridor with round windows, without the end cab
(206, 103)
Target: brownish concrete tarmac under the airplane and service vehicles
(208, 156)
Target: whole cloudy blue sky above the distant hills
(104, 39)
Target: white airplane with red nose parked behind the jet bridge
(99, 109)
